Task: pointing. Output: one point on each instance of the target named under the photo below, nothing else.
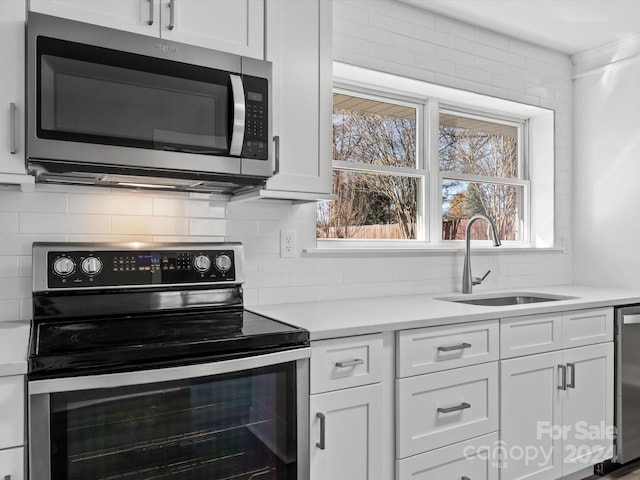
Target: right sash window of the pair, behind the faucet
(482, 171)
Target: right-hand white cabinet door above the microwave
(235, 26)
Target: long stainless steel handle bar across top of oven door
(111, 380)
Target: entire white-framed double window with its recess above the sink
(412, 162)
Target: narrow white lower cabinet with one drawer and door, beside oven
(349, 429)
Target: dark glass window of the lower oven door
(240, 426)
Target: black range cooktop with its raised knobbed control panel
(110, 308)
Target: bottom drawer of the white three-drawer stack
(475, 459)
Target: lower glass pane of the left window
(370, 206)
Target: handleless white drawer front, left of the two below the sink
(530, 334)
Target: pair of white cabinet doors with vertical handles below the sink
(556, 412)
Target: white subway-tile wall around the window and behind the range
(381, 34)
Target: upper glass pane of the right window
(477, 147)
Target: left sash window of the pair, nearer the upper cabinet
(376, 173)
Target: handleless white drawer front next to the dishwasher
(586, 327)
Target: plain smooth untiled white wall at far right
(607, 176)
